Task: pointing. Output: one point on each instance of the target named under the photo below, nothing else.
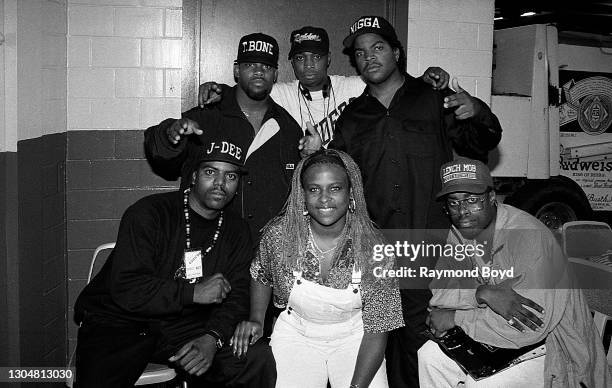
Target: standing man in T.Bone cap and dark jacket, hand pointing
(251, 119)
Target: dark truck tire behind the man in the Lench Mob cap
(554, 201)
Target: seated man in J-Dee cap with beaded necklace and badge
(175, 286)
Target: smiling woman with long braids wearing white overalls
(315, 258)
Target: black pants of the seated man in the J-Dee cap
(112, 354)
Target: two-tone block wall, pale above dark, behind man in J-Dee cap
(124, 75)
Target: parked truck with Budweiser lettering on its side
(554, 101)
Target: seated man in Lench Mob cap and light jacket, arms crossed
(546, 320)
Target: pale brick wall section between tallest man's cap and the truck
(455, 35)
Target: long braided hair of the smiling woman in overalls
(294, 223)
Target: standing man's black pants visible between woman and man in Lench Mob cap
(403, 343)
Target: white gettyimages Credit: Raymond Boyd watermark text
(404, 250)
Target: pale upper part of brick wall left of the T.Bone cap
(124, 61)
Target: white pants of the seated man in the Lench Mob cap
(437, 370)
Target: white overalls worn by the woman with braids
(318, 336)
